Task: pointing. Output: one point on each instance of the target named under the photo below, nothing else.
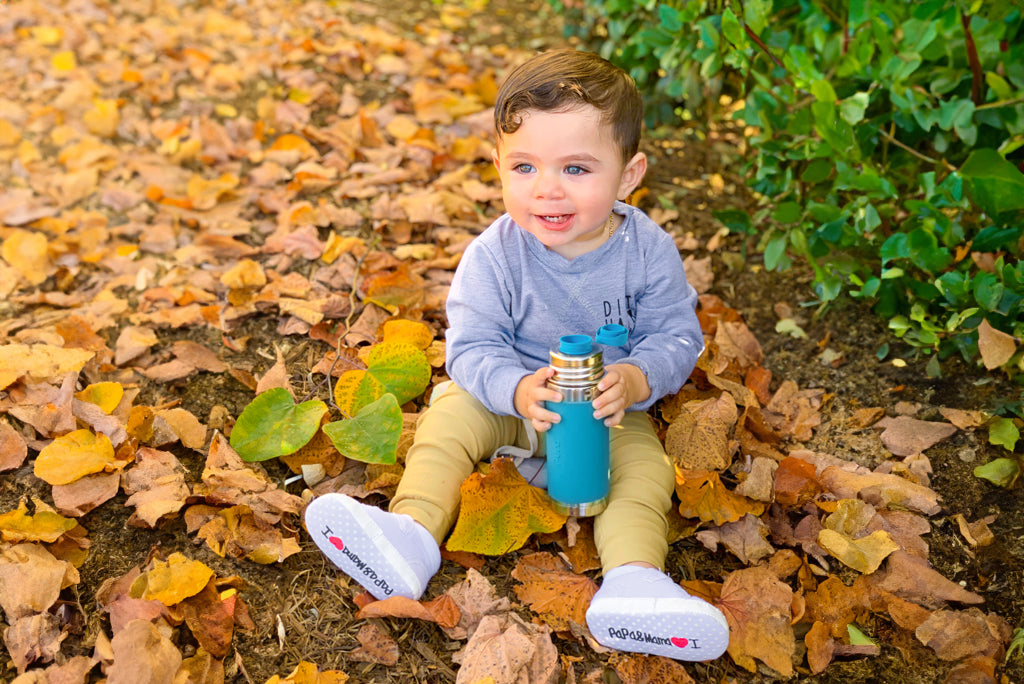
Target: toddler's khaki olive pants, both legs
(457, 433)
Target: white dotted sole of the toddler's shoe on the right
(690, 629)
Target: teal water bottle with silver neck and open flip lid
(578, 447)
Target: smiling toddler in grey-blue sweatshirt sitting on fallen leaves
(568, 258)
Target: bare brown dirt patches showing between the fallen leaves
(304, 609)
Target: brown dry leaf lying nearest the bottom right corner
(958, 634)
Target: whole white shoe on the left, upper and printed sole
(390, 554)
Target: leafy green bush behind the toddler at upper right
(884, 143)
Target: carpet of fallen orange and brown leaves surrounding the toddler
(203, 204)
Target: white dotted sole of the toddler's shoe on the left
(351, 539)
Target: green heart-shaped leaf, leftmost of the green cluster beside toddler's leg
(274, 425)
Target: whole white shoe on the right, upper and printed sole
(666, 622)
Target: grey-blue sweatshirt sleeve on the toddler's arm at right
(667, 340)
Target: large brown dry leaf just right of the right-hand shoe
(758, 608)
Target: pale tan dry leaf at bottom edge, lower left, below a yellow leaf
(143, 654)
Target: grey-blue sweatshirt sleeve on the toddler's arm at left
(481, 354)
